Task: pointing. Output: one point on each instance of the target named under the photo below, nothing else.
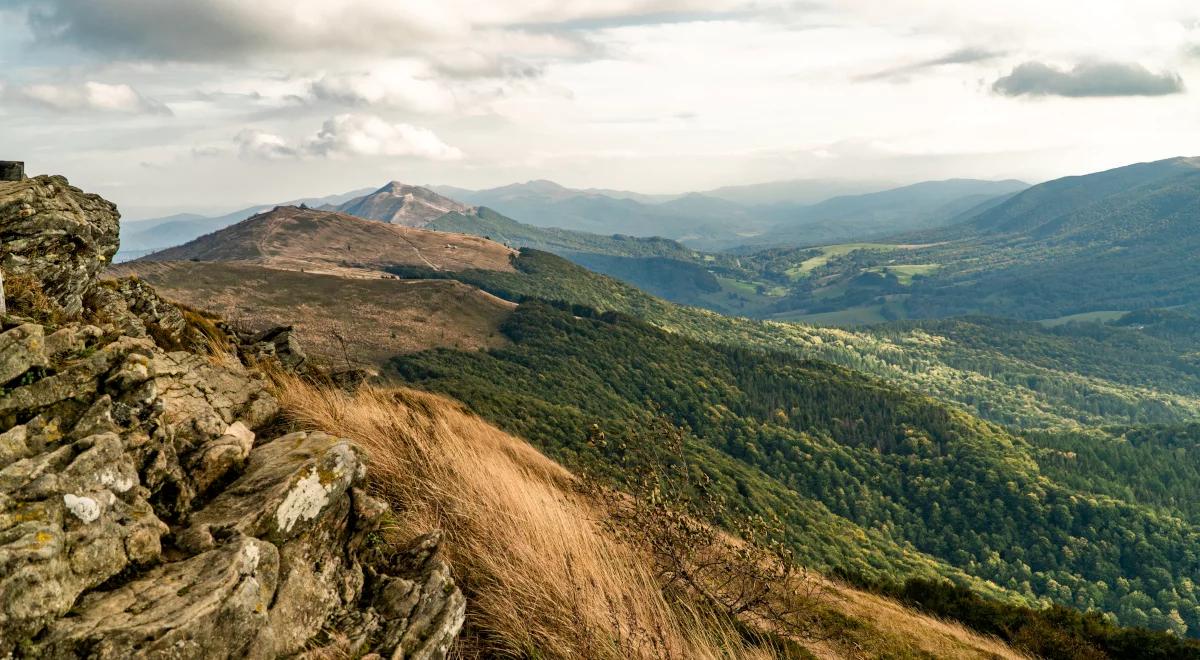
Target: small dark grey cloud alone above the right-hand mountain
(1100, 79)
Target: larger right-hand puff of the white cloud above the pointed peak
(357, 135)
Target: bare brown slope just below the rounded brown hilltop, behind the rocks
(389, 316)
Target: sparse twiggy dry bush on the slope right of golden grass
(668, 511)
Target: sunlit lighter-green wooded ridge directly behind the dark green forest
(1016, 374)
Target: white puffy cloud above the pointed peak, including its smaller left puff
(350, 136)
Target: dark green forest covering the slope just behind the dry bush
(929, 487)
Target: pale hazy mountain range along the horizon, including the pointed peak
(787, 213)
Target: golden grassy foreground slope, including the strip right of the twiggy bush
(538, 548)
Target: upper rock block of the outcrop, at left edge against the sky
(56, 236)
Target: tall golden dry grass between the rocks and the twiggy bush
(543, 575)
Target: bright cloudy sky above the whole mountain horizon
(213, 105)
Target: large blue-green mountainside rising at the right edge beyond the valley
(1106, 243)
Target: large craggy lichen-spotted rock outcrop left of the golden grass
(151, 508)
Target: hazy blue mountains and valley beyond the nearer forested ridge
(923, 251)
